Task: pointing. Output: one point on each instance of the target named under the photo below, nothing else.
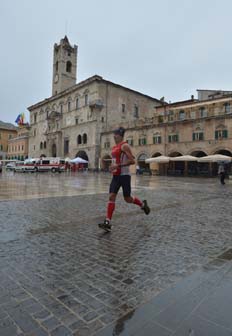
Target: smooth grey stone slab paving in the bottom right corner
(202, 308)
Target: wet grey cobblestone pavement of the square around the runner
(60, 275)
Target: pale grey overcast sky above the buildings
(161, 48)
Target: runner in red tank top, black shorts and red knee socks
(122, 158)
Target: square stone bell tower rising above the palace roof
(64, 66)
